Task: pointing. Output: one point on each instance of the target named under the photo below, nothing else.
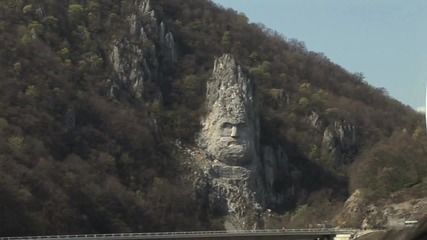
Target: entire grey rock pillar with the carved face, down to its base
(241, 176)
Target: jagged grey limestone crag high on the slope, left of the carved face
(135, 57)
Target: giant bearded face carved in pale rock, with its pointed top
(229, 132)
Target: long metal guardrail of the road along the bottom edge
(191, 234)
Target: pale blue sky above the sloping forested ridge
(386, 40)
